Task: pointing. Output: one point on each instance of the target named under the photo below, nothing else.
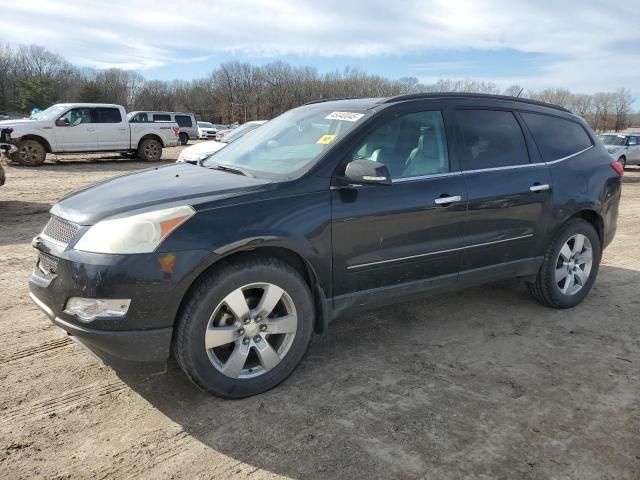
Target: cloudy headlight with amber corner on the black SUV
(141, 233)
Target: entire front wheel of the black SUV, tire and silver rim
(245, 328)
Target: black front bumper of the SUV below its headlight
(141, 340)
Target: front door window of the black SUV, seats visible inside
(411, 145)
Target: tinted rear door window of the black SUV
(490, 139)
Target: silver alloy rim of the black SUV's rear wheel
(573, 265)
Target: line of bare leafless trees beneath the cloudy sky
(33, 77)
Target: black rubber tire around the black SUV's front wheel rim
(188, 342)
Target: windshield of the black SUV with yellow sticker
(288, 145)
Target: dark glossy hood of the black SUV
(177, 184)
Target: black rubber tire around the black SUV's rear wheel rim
(545, 289)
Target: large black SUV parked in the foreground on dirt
(338, 205)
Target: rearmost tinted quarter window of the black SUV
(556, 137)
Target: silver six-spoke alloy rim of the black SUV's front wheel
(251, 330)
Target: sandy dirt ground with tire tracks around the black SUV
(482, 383)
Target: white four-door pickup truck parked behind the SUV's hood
(85, 128)
